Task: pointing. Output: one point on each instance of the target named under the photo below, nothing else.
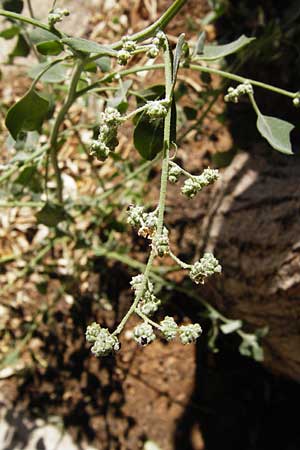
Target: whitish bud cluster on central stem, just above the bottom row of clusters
(148, 303)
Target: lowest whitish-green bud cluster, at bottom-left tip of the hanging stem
(103, 341)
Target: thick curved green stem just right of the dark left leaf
(58, 121)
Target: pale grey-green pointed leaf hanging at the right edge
(276, 131)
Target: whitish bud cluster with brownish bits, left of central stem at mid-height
(145, 222)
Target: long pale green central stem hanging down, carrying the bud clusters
(163, 191)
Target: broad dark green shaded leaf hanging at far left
(27, 114)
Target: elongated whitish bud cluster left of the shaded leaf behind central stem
(107, 139)
